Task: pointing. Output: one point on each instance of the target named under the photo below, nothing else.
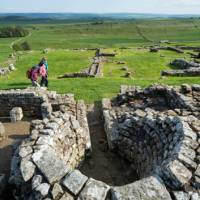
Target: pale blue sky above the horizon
(103, 6)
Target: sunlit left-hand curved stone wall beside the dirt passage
(56, 146)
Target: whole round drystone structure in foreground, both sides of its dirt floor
(157, 129)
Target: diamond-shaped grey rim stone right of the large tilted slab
(74, 181)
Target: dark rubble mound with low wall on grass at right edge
(184, 68)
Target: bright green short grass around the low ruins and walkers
(146, 67)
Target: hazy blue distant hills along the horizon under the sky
(67, 17)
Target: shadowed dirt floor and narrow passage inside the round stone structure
(104, 165)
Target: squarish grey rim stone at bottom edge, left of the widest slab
(94, 190)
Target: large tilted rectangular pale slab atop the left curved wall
(50, 164)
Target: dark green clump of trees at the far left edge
(13, 31)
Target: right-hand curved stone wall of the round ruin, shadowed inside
(158, 130)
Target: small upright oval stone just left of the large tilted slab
(27, 169)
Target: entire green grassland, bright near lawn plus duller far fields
(145, 66)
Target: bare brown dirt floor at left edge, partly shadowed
(15, 132)
